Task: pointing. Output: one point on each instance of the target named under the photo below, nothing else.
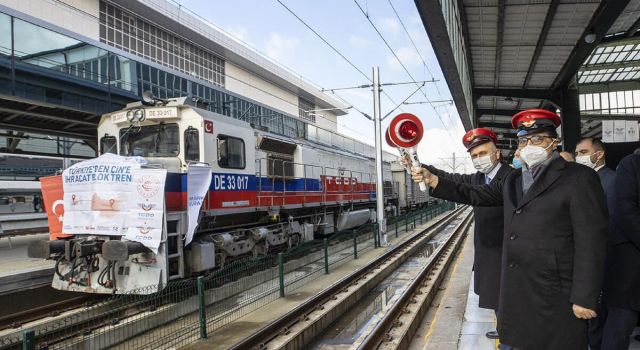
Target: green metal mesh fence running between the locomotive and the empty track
(187, 310)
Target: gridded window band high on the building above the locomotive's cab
(125, 31)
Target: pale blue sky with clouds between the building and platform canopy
(269, 28)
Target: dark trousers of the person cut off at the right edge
(618, 328)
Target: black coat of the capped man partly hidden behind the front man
(487, 241)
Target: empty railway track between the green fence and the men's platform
(395, 327)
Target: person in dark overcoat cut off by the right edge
(622, 278)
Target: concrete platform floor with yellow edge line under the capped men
(455, 321)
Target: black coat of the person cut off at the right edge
(622, 281)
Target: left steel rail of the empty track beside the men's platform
(270, 331)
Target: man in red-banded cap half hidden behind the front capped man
(488, 229)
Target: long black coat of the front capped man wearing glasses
(553, 252)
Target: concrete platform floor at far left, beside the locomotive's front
(14, 260)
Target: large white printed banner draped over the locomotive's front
(111, 195)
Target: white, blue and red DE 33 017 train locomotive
(268, 193)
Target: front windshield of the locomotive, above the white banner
(160, 140)
